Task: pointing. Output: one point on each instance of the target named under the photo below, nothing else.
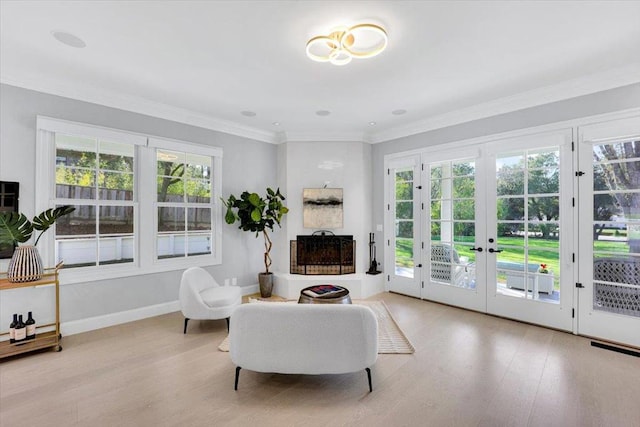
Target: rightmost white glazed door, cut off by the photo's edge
(609, 188)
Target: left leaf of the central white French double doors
(454, 219)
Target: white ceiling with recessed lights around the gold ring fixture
(203, 62)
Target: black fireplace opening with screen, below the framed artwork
(323, 254)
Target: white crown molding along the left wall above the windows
(138, 105)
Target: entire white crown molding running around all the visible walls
(568, 89)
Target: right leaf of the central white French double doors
(529, 229)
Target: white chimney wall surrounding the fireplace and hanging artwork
(345, 165)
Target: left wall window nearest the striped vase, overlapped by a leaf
(96, 176)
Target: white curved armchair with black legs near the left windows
(201, 297)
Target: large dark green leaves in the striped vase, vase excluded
(15, 228)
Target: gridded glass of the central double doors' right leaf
(528, 215)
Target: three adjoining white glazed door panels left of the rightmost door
(488, 227)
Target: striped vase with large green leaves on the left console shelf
(25, 264)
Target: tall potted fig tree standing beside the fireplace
(259, 215)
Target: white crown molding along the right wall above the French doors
(568, 89)
